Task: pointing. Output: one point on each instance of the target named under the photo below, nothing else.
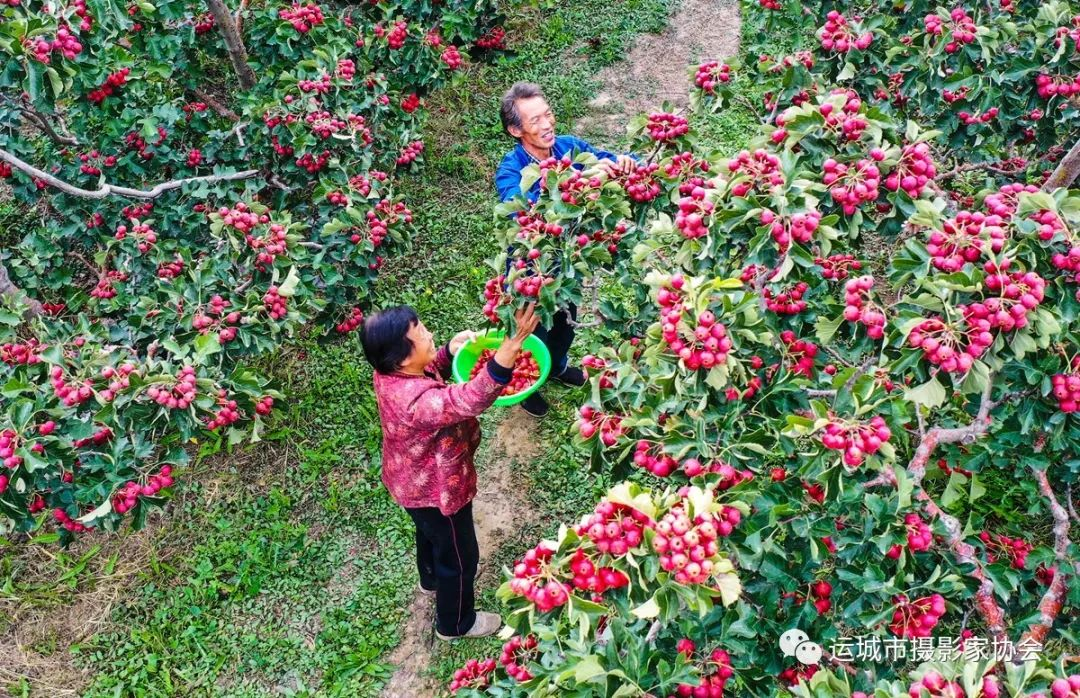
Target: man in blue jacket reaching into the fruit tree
(528, 117)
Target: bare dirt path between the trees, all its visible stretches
(655, 71)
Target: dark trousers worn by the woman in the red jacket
(447, 557)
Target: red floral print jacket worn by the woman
(430, 433)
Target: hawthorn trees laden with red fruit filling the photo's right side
(857, 341)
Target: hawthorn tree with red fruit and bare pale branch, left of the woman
(200, 182)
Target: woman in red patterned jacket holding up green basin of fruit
(430, 435)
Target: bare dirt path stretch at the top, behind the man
(656, 69)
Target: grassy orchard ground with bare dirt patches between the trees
(285, 569)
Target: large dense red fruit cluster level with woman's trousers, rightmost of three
(688, 548)
